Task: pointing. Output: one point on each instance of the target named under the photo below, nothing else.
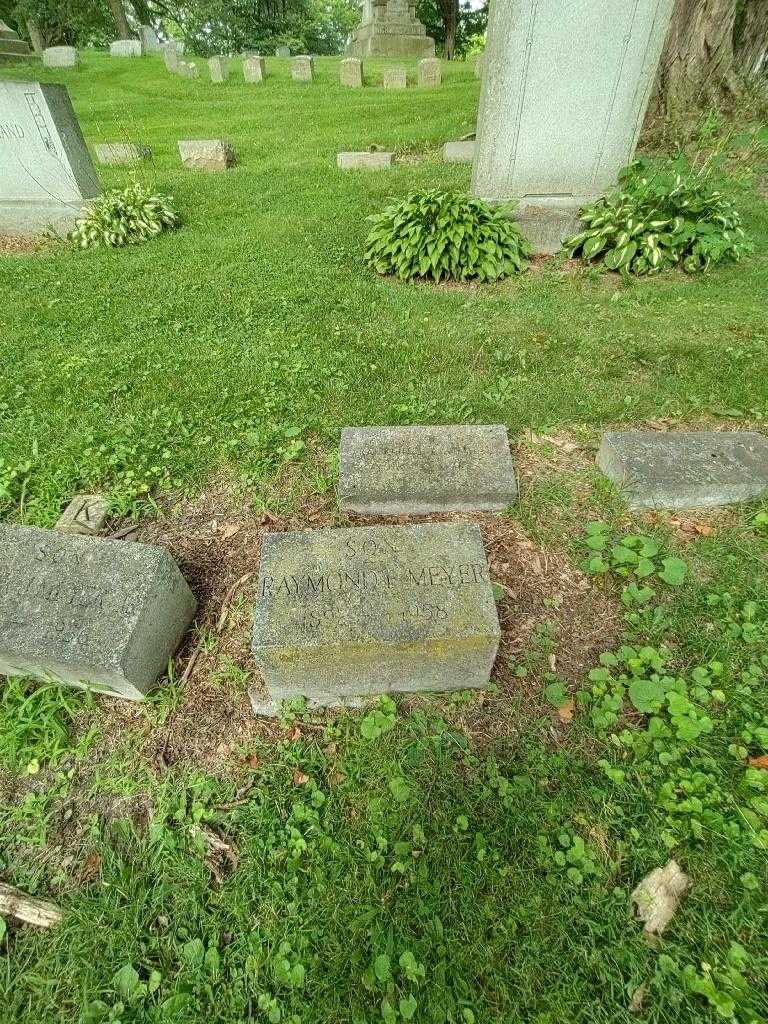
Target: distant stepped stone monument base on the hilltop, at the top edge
(391, 29)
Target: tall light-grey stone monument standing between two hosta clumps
(566, 89)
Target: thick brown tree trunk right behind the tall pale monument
(698, 62)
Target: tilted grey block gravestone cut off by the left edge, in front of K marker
(88, 612)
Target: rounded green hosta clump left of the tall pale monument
(446, 236)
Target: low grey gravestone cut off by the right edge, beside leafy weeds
(686, 470)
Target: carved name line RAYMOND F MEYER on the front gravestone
(366, 581)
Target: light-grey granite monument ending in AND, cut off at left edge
(47, 175)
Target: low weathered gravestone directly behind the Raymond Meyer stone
(419, 471)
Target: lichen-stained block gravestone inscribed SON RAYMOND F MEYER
(379, 610)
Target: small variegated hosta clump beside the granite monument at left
(124, 218)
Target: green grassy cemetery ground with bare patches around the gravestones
(467, 860)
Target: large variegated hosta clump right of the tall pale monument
(665, 216)
